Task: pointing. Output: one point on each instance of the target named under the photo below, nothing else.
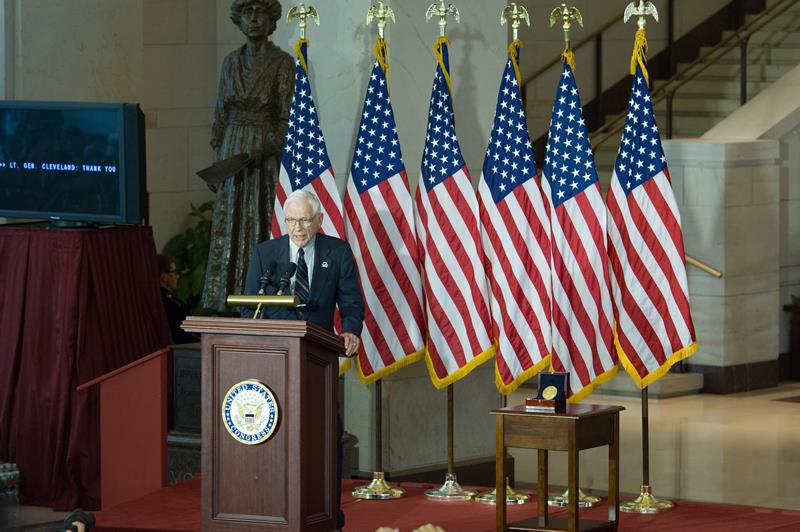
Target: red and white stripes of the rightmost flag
(654, 325)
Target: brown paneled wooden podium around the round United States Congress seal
(287, 482)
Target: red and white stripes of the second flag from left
(380, 228)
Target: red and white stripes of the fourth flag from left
(516, 243)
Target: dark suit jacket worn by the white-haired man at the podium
(334, 281)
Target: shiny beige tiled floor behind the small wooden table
(739, 449)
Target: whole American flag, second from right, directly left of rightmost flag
(583, 333)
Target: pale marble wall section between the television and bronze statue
(181, 53)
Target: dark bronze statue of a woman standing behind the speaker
(251, 116)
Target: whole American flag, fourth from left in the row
(516, 241)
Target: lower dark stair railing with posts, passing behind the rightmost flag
(740, 37)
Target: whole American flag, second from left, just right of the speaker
(379, 213)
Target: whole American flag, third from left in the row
(449, 240)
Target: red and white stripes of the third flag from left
(456, 299)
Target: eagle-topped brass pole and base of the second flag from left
(378, 489)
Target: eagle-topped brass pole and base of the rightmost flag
(646, 502)
